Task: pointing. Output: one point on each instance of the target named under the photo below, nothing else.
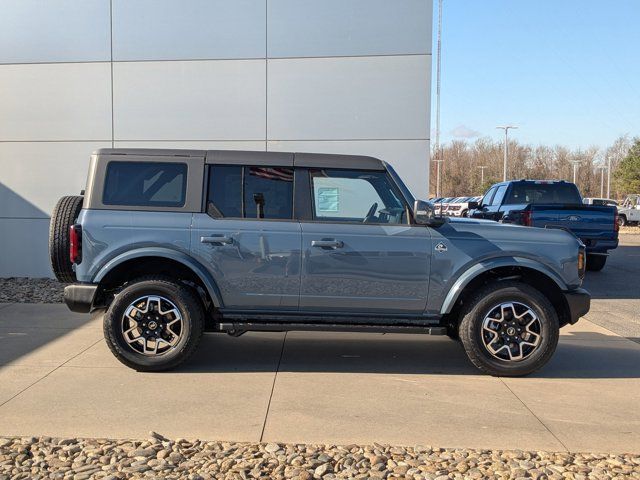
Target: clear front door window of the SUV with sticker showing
(355, 196)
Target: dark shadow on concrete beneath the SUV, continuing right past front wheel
(582, 355)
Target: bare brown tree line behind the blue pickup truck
(461, 175)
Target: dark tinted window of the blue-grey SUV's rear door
(250, 192)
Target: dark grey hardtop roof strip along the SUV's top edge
(240, 157)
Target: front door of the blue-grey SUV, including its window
(360, 254)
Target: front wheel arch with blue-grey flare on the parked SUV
(524, 270)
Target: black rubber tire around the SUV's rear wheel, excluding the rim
(183, 297)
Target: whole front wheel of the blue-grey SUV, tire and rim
(509, 329)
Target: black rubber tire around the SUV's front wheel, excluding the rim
(482, 302)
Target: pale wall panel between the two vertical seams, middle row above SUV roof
(193, 100)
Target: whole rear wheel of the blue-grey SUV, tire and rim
(154, 324)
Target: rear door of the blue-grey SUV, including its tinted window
(247, 237)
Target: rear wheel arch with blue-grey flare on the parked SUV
(158, 261)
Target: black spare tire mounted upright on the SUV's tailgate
(64, 215)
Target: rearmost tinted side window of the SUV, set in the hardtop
(145, 184)
